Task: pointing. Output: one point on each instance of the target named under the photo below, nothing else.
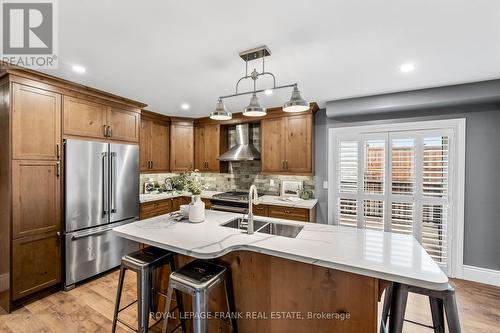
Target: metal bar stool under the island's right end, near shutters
(440, 301)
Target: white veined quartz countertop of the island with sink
(388, 256)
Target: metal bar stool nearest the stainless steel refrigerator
(145, 263)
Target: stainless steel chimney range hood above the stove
(243, 150)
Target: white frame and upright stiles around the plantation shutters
(456, 174)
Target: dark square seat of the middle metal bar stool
(199, 274)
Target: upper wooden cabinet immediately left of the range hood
(209, 143)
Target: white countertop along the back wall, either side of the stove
(265, 199)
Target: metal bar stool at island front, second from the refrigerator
(198, 278)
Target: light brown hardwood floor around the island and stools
(89, 308)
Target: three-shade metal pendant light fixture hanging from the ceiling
(254, 109)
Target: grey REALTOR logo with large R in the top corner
(29, 33)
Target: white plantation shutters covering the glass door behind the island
(395, 181)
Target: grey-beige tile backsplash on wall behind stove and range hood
(240, 174)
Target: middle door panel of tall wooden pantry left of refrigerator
(36, 197)
